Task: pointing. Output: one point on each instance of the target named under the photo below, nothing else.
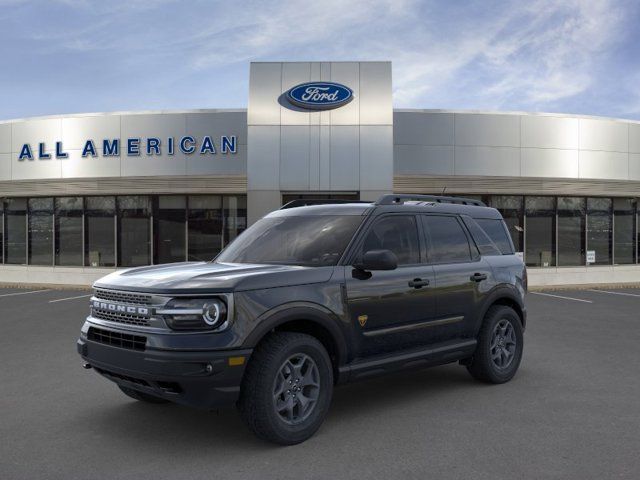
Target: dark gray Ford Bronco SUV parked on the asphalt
(310, 297)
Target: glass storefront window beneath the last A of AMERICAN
(205, 227)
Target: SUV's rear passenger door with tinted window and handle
(461, 276)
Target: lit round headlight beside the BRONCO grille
(194, 313)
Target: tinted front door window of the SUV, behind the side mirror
(398, 234)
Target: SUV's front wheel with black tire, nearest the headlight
(287, 388)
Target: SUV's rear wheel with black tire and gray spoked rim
(500, 345)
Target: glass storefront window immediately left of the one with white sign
(571, 228)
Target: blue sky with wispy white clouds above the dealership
(66, 56)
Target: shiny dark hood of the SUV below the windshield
(205, 277)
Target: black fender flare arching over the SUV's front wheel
(292, 311)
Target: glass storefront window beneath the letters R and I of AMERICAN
(169, 229)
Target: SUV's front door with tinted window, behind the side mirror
(388, 309)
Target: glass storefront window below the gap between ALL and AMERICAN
(68, 231)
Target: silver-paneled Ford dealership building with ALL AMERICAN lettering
(84, 194)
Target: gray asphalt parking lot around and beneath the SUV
(573, 410)
